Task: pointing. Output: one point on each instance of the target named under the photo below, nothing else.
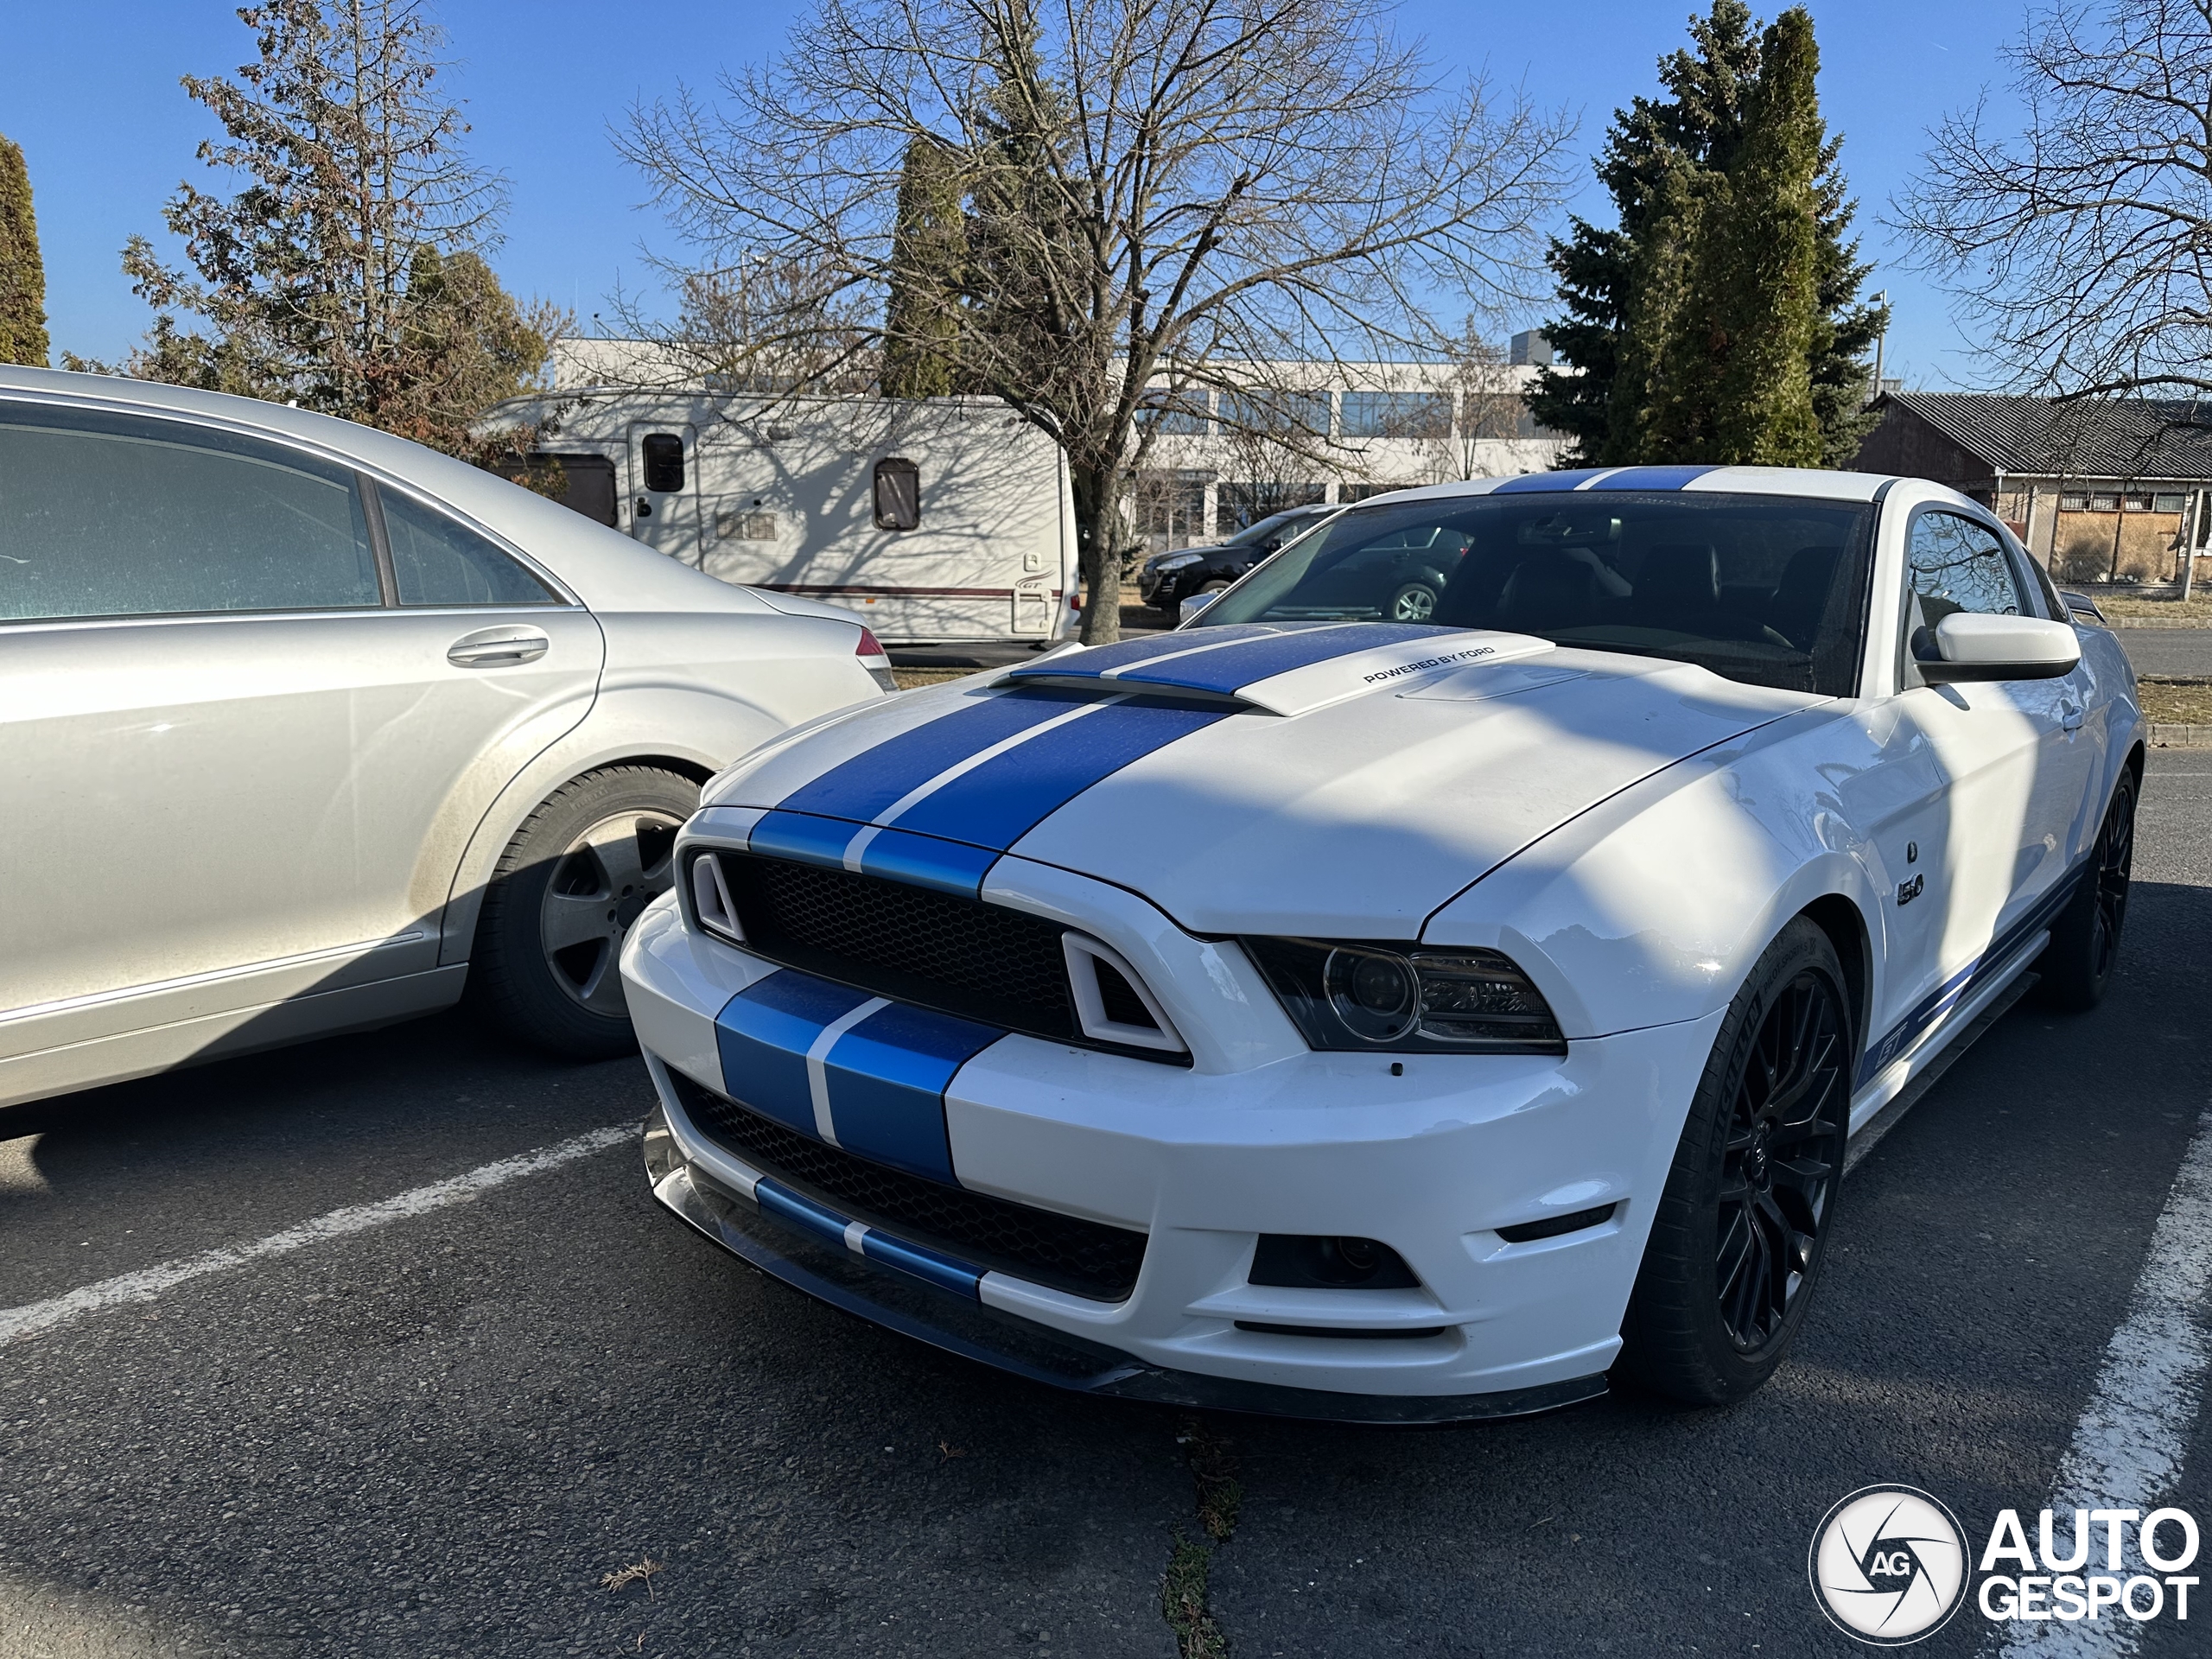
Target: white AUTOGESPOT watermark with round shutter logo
(1890, 1565)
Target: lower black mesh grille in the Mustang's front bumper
(1083, 1258)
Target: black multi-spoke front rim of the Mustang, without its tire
(1784, 1160)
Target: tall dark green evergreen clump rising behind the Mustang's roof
(1671, 165)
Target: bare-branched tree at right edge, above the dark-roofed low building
(2085, 244)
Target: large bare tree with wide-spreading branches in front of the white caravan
(1156, 194)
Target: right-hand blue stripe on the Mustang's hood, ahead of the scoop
(1014, 793)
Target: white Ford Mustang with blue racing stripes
(1324, 1014)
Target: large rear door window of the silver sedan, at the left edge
(125, 517)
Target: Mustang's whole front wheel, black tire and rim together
(1751, 1202)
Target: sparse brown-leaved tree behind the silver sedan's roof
(346, 271)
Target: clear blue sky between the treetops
(90, 90)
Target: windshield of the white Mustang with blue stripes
(1766, 589)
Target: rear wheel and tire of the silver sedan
(561, 904)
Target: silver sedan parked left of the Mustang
(309, 729)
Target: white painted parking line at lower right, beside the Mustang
(2131, 1439)
